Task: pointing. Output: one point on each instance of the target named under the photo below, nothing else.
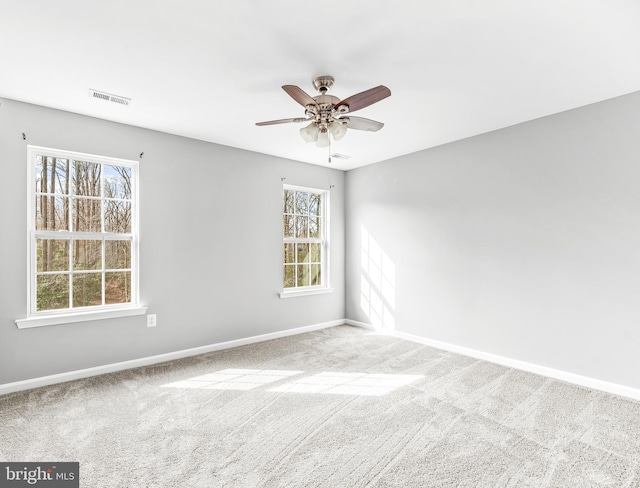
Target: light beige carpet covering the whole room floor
(339, 407)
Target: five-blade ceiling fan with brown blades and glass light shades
(326, 113)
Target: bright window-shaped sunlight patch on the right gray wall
(377, 283)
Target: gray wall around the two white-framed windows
(210, 245)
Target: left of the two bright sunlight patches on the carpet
(234, 379)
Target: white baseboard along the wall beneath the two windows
(160, 358)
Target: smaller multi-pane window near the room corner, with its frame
(305, 239)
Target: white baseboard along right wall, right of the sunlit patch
(557, 374)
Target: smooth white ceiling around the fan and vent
(210, 69)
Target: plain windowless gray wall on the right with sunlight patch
(524, 242)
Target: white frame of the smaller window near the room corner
(324, 240)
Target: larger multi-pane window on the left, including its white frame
(83, 232)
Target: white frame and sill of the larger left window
(37, 318)
